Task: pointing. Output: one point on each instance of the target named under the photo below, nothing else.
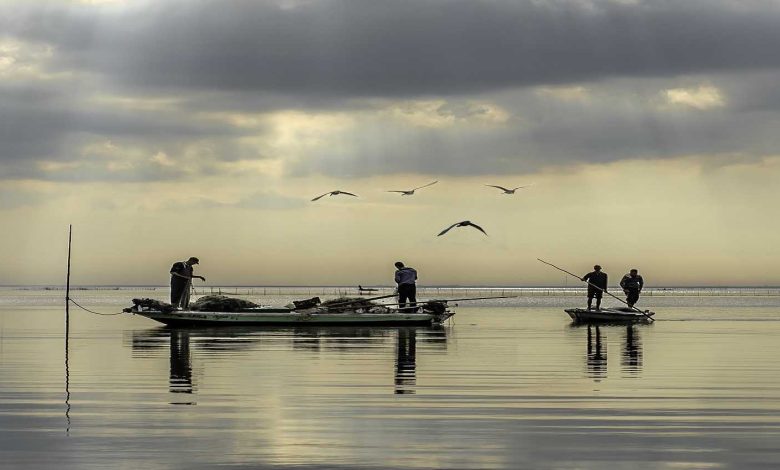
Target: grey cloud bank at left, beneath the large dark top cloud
(54, 121)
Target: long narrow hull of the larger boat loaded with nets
(284, 316)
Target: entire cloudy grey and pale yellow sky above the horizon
(648, 130)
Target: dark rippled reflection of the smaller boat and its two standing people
(596, 352)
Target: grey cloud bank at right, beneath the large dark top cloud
(615, 121)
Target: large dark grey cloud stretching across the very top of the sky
(403, 47)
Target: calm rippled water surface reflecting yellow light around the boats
(507, 384)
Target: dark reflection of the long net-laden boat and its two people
(184, 343)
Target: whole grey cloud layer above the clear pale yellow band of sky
(177, 88)
